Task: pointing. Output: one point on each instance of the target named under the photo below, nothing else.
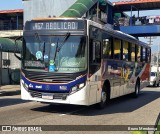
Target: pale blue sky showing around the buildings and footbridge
(17, 4)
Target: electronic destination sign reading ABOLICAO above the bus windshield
(55, 25)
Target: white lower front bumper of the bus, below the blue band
(78, 98)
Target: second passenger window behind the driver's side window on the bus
(117, 49)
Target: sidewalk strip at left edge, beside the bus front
(9, 90)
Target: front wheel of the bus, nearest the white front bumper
(104, 97)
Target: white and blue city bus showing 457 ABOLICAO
(81, 62)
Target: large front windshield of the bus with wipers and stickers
(65, 53)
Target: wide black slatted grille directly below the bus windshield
(49, 77)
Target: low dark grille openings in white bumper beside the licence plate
(37, 94)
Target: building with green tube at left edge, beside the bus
(11, 26)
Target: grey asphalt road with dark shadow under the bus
(125, 110)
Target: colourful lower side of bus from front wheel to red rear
(123, 76)
